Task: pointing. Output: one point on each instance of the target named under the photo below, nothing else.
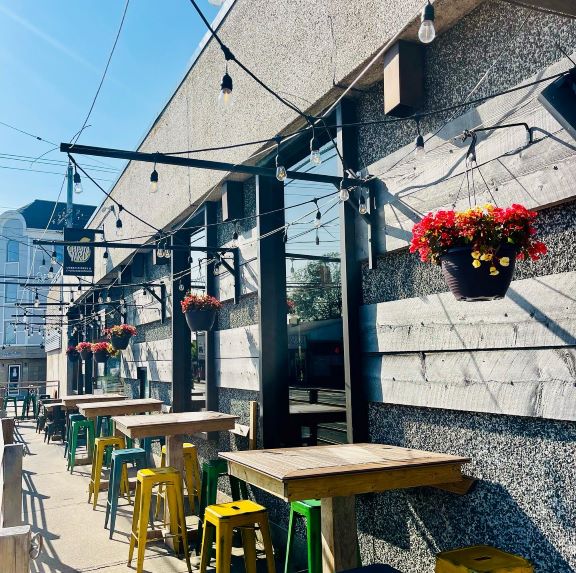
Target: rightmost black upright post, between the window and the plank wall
(356, 405)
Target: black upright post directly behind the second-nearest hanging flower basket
(181, 338)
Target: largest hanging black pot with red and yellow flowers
(478, 248)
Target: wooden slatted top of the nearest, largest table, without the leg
(342, 470)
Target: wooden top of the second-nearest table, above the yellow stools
(174, 424)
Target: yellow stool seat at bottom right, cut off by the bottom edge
(481, 559)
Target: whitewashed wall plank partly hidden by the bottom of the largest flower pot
(537, 312)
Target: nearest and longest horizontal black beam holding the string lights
(201, 164)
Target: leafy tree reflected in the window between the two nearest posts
(319, 296)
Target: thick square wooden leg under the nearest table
(339, 534)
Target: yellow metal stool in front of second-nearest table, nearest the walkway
(145, 481)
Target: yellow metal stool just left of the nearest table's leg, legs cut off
(220, 520)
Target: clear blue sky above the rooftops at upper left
(52, 54)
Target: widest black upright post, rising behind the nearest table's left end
(273, 362)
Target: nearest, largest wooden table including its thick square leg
(335, 474)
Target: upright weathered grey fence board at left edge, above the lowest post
(11, 486)
